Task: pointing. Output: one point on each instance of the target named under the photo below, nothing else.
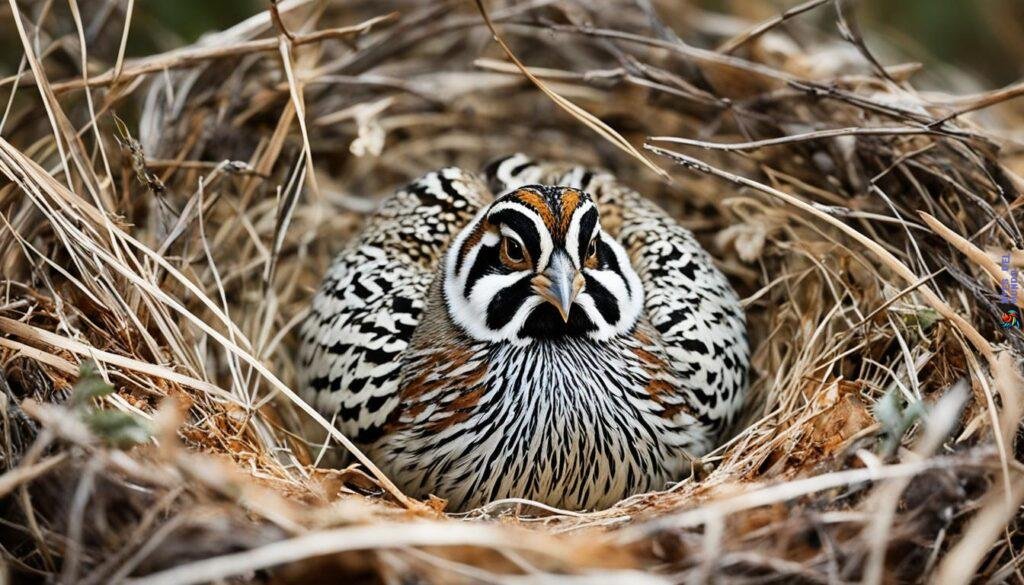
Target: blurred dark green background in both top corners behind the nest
(984, 39)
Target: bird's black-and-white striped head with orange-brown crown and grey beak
(535, 265)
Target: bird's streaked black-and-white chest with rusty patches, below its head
(571, 424)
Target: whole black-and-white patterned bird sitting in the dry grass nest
(483, 348)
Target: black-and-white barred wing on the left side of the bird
(370, 304)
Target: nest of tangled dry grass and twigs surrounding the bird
(177, 241)
